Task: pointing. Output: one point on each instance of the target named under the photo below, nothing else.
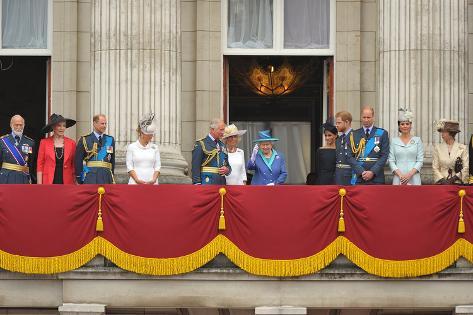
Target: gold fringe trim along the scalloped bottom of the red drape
(254, 265)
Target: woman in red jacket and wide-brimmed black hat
(56, 153)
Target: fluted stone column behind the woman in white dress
(136, 69)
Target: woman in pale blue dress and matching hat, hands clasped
(406, 153)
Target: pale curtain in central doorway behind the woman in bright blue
(294, 144)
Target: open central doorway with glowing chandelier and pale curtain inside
(294, 109)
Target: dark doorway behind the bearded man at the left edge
(23, 91)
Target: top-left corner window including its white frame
(25, 27)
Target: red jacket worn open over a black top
(47, 160)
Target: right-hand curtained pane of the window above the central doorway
(306, 23)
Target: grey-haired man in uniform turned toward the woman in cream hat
(209, 157)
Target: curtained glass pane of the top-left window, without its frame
(24, 23)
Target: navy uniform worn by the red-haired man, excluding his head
(343, 171)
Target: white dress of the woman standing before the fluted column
(144, 160)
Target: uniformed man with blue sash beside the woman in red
(95, 155)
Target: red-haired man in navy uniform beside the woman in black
(343, 172)
